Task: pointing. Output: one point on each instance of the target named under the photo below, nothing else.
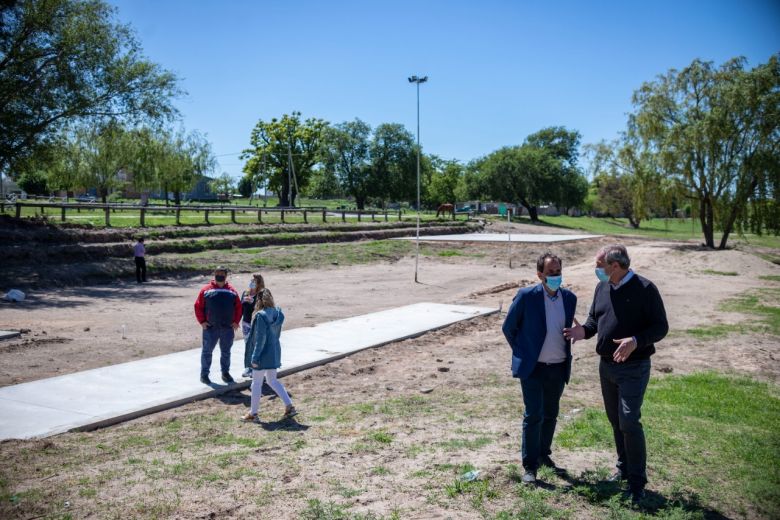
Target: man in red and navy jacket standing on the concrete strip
(218, 310)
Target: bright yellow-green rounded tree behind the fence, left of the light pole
(283, 151)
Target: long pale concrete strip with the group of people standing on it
(108, 395)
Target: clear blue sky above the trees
(498, 70)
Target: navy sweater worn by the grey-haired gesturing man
(633, 309)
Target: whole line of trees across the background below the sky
(80, 106)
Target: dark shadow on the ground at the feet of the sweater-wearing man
(612, 494)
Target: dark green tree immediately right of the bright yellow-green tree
(346, 153)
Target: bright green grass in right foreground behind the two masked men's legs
(705, 429)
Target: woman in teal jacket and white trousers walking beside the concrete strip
(263, 336)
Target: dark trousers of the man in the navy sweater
(623, 388)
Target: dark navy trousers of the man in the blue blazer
(542, 392)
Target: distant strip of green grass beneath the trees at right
(674, 229)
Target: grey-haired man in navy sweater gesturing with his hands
(629, 316)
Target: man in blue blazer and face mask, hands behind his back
(541, 358)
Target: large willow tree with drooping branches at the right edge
(717, 131)
